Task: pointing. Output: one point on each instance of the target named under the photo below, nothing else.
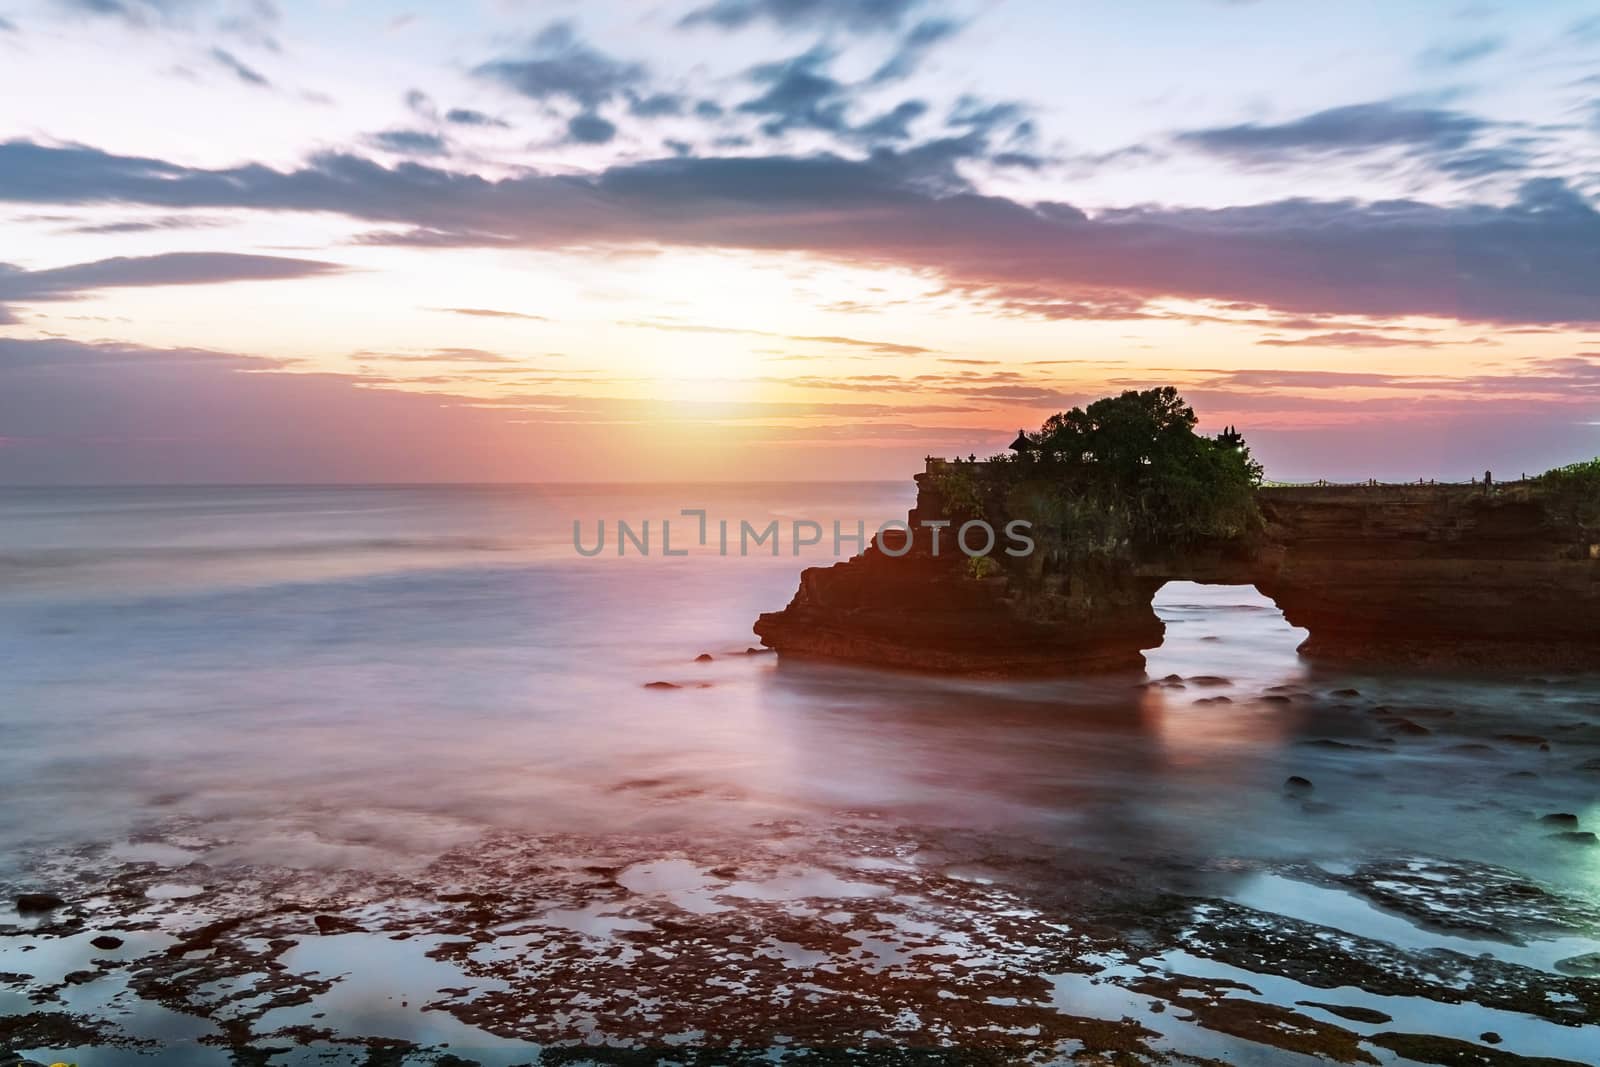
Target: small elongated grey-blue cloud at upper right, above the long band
(1342, 130)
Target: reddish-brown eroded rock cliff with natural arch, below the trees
(1452, 575)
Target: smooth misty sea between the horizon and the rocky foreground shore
(361, 677)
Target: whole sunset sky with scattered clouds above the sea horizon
(638, 241)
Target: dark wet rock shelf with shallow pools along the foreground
(798, 943)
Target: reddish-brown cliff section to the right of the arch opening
(1446, 575)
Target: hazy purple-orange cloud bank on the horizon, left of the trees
(121, 414)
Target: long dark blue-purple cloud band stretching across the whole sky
(1535, 260)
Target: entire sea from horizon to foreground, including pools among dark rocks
(367, 687)
